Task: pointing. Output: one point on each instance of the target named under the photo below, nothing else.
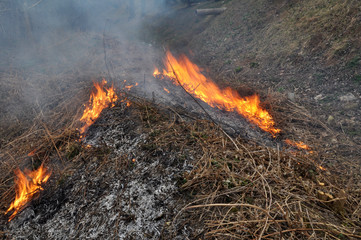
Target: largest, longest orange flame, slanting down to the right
(190, 77)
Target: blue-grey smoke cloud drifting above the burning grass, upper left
(50, 48)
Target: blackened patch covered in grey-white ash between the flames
(121, 185)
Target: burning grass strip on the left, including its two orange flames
(57, 139)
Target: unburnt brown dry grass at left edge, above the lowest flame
(43, 141)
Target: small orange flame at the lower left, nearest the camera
(27, 184)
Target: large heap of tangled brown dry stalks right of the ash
(258, 192)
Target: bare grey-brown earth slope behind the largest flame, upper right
(305, 52)
